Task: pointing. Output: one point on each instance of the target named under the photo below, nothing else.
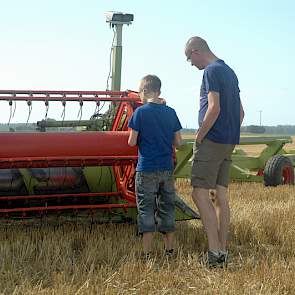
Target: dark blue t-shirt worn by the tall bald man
(219, 77)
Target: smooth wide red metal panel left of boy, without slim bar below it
(95, 144)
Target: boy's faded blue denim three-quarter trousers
(155, 198)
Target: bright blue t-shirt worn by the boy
(156, 125)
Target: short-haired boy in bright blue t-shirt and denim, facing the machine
(155, 128)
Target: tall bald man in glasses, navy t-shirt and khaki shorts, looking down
(220, 117)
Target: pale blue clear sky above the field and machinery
(65, 45)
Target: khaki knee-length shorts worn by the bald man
(211, 164)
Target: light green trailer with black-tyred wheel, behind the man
(273, 166)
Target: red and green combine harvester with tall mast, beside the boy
(75, 173)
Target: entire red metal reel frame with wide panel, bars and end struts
(71, 149)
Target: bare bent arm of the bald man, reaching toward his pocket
(210, 116)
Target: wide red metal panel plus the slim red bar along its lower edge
(74, 149)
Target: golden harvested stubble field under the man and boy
(80, 258)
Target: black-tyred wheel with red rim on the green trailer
(278, 170)
